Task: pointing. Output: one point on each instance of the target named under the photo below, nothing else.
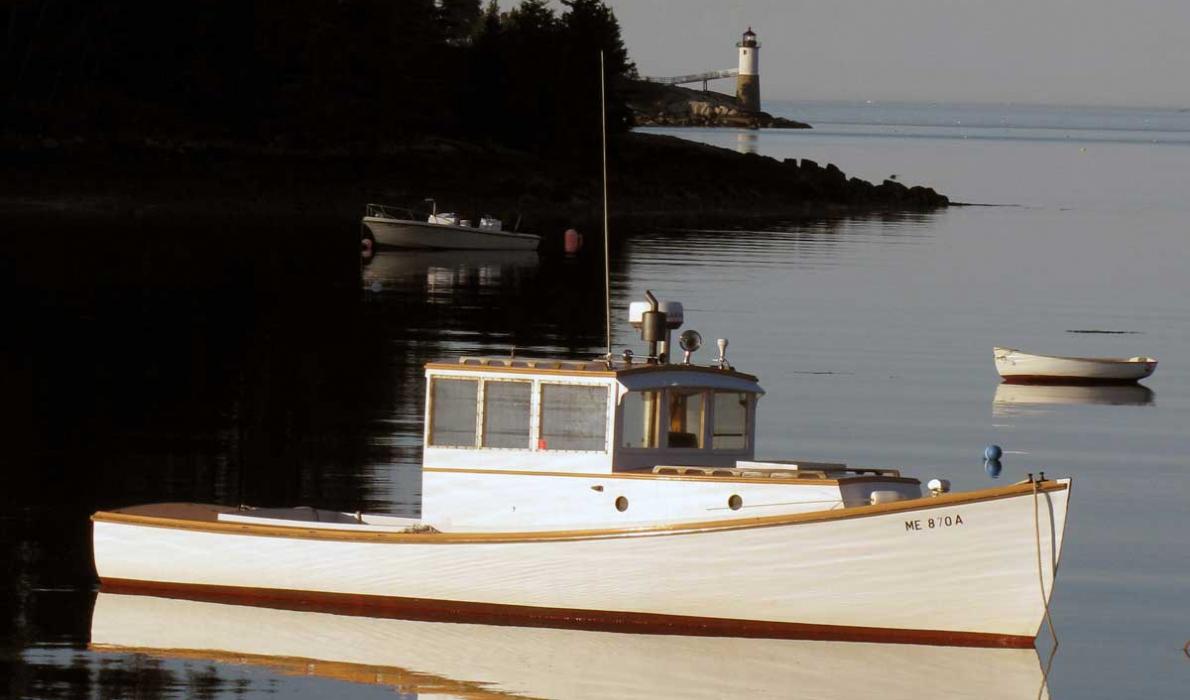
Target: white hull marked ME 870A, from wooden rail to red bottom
(960, 570)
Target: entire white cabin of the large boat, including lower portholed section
(546, 445)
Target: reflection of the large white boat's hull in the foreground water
(480, 661)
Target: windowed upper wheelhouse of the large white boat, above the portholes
(586, 417)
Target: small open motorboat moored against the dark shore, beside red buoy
(396, 228)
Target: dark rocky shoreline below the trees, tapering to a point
(652, 177)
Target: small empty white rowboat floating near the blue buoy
(1019, 367)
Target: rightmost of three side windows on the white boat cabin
(574, 417)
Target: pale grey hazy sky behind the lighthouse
(1045, 52)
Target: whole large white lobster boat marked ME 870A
(625, 492)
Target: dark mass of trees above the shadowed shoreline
(311, 73)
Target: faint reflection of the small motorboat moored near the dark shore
(443, 271)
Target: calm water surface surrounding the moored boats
(258, 364)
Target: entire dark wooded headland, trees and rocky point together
(323, 105)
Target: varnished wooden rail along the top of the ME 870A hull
(299, 533)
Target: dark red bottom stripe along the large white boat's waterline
(419, 609)
